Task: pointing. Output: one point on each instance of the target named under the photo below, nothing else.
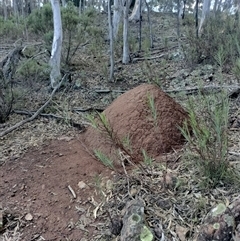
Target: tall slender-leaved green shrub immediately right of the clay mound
(206, 133)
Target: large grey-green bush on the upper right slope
(218, 42)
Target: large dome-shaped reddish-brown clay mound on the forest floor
(130, 115)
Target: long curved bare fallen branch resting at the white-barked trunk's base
(10, 129)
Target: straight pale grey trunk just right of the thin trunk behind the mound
(126, 57)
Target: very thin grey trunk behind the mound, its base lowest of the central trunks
(111, 77)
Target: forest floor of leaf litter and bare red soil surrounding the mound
(53, 188)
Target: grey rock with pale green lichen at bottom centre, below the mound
(134, 227)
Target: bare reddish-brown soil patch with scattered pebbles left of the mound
(37, 184)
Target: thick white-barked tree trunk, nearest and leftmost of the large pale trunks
(55, 59)
